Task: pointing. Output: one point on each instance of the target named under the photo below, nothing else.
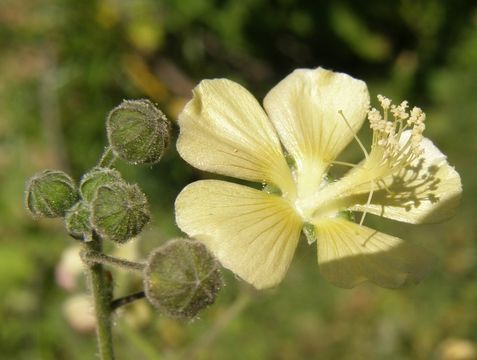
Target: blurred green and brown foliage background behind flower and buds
(65, 63)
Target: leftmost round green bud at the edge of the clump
(50, 193)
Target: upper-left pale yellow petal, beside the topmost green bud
(223, 129)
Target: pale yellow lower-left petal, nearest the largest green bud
(252, 233)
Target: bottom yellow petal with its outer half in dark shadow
(349, 254)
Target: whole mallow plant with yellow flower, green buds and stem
(288, 148)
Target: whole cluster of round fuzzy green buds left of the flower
(181, 277)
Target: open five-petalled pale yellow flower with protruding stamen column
(309, 117)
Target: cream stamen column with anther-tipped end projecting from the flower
(396, 145)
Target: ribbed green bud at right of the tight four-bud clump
(119, 211)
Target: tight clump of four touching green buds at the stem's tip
(104, 203)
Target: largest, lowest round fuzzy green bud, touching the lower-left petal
(181, 278)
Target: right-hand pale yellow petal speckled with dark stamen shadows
(428, 191)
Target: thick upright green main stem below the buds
(101, 288)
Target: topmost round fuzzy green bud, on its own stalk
(138, 132)
